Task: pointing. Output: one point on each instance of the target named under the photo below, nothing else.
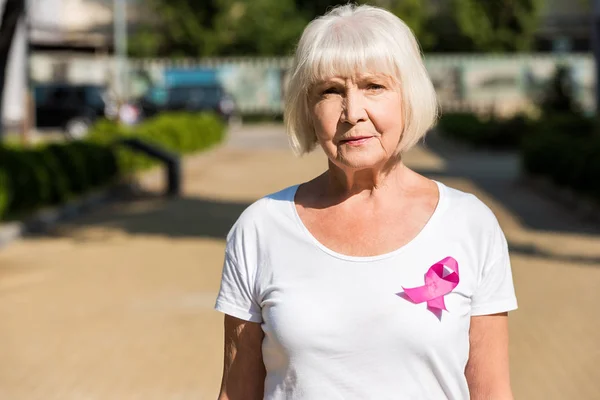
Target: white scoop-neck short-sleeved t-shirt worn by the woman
(335, 326)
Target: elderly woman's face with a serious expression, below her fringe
(357, 120)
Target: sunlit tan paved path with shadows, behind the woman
(118, 304)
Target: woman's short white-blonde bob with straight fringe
(350, 40)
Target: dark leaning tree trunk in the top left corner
(13, 10)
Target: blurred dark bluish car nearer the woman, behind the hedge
(188, 98)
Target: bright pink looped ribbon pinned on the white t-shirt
(436, 284)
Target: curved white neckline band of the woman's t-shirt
(429, 225)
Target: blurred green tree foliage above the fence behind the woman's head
(189, 28)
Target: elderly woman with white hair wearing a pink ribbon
(369, 281)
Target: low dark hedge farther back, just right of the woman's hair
(492, 133)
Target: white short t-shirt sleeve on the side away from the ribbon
(237, 295)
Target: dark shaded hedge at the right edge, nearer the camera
(567, 150)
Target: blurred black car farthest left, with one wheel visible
(72, 108)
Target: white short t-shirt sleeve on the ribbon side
(495, 291)
